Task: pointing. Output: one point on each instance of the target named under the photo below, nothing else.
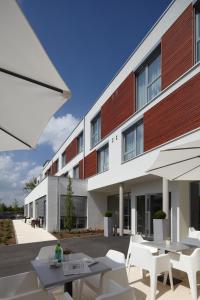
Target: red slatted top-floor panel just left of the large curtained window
(119, 107)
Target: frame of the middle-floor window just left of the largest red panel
(133, 128)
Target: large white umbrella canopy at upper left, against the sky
(31, 90)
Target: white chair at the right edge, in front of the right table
(189, 264)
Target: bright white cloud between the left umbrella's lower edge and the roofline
(57, 130)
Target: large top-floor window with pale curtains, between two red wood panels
(148, 80)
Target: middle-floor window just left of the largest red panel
(133, 139)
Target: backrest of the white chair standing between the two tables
(141, 256)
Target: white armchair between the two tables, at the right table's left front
(143, 258)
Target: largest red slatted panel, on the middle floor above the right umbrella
(177, 114)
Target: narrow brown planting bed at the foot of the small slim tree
(77, 233)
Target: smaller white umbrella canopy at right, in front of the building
(179, 163)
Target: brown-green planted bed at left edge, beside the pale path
(7, 236)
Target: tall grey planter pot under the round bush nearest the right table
(160, 229)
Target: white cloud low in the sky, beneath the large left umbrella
(13, 175)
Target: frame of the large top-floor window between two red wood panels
(145, 67)
